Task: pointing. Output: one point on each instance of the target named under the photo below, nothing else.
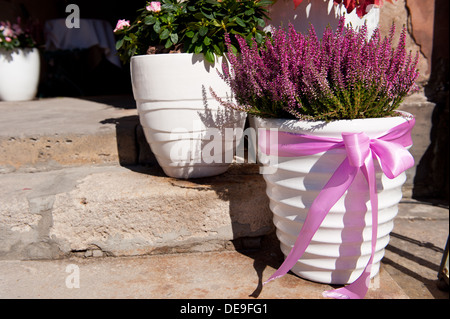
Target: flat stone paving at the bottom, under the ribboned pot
(211, 275)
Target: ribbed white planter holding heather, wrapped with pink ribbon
(333, 256)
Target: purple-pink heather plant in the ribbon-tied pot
(342, 76)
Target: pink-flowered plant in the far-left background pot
(14, 36)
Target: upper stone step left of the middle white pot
(52, 133)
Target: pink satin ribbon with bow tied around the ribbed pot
(389, 149)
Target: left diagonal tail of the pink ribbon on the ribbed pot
(328, 196)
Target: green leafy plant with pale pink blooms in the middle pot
(191, 26)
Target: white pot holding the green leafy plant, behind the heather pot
(189, 132)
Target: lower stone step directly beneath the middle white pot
(120, 211)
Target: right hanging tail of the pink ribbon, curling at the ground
(359, 288)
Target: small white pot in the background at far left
(19, 74)
